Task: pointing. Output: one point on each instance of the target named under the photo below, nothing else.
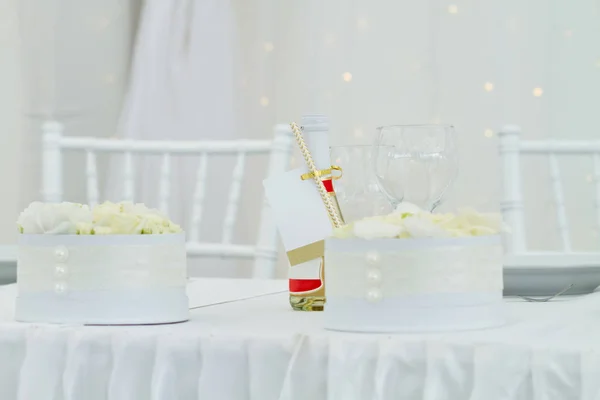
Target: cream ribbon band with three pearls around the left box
(80, 263)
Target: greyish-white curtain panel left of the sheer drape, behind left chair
(75, 61)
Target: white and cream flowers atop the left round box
(123, 218)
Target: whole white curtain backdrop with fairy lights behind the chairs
(209, 68)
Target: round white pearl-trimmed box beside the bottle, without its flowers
(413, 285)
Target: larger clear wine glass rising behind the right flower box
(415, 163)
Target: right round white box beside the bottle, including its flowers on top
(415, 271)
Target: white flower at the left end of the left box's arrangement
(51, 218)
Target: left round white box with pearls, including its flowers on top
(113, 264)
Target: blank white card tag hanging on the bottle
(297, 209)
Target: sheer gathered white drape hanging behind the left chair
(180, 89)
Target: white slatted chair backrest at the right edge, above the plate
(511, 148)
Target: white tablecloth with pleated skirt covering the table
(260, 349)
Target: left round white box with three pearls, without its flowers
(104, 280)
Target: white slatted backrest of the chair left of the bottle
(264, 252)
